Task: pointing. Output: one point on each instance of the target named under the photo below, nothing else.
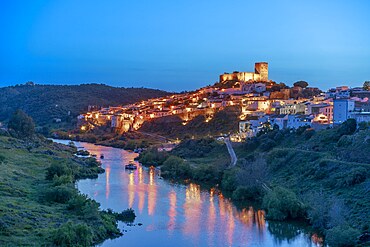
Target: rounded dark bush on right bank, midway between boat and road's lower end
(175, 167)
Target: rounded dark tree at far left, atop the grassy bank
(22, 124)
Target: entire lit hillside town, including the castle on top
(263, 103)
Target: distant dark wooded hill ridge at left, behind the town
(45, 103)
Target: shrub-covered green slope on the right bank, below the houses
(319, 177)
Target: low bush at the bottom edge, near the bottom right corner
(342, 236)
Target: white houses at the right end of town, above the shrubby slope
(322, 111)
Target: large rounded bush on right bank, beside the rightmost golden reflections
(282, 204)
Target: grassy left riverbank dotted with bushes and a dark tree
(40, 206)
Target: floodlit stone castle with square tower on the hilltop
(260, 74)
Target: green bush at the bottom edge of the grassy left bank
(73, 235)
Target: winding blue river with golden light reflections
(179, 215)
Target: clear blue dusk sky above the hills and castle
(183, 45)
